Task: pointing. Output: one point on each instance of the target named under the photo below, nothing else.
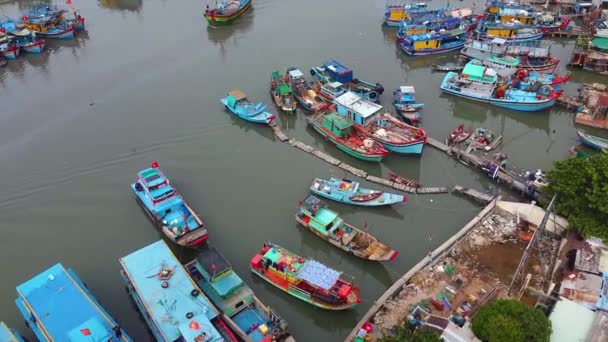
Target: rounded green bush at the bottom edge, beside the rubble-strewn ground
(508, 320)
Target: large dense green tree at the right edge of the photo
(582, 188)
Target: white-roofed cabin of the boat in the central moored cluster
(357, 109)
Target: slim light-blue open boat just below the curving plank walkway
(350, 192)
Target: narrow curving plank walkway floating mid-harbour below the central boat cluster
(281, 136)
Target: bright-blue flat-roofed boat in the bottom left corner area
(57, 306)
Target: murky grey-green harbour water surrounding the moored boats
(143, 84)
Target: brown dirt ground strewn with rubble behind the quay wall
(483, 263)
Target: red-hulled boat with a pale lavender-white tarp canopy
(305, 279)
